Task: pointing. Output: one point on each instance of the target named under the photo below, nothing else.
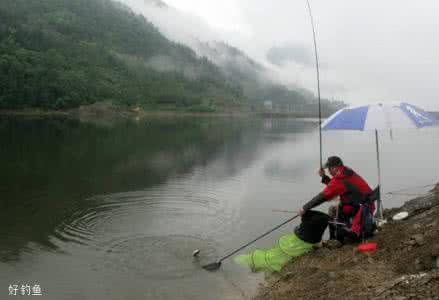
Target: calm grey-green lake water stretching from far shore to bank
(114, 211)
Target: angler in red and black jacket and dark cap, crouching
(354, 215)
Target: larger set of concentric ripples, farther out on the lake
(177, 203)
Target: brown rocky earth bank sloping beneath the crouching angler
(406, 265)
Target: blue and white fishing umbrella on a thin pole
(380, 116)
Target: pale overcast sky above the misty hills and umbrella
(369, 50)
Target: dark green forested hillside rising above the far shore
(58, 54)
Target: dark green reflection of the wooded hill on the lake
(50, 166)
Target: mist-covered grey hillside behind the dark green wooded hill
(253, 78)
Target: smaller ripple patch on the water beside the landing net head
(157, 257)
